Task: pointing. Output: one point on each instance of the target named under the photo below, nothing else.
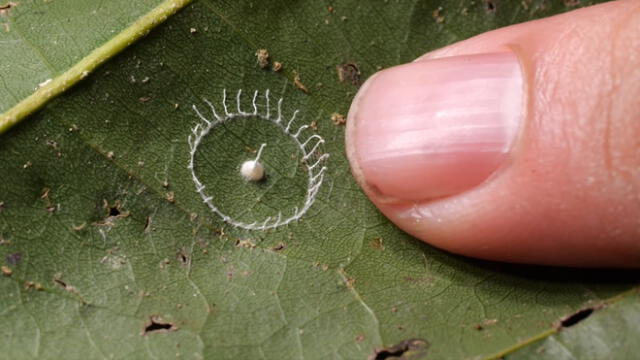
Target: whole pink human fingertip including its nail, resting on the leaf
(441, 165)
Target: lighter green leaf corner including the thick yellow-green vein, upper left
(52, 51)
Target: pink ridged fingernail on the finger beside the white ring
(436, 128)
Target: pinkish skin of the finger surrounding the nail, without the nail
(568, 192)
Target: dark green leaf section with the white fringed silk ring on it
(113, 254)
